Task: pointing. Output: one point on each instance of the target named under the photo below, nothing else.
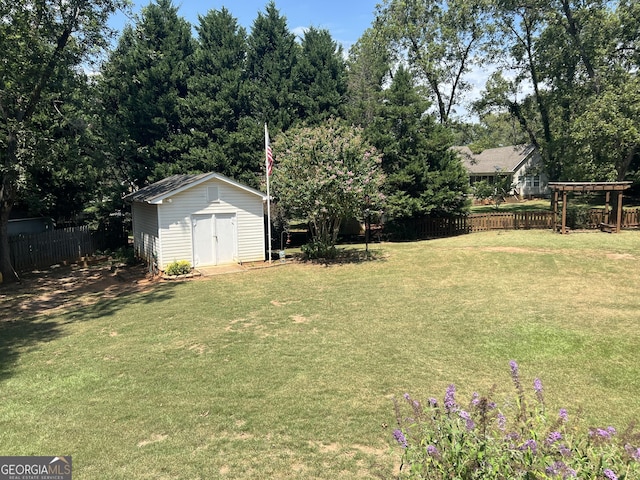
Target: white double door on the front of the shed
(214, 239)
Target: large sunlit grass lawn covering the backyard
(289, 372)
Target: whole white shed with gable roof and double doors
(207, 219)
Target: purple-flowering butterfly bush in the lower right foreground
(520, 439)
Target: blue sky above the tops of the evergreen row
(346, 20)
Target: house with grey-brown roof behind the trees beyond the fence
(522, 163)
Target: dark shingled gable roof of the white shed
(157, 192)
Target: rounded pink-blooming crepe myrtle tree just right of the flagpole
(323, 175)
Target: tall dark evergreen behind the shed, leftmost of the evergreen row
(144, 82)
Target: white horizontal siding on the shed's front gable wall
(175, 230)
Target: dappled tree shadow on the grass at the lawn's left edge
(24, 332)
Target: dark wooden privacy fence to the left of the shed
(41, 250)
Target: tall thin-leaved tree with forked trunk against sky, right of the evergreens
(440, 39)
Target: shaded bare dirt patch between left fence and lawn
(46, 292)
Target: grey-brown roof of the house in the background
(492, 160)
